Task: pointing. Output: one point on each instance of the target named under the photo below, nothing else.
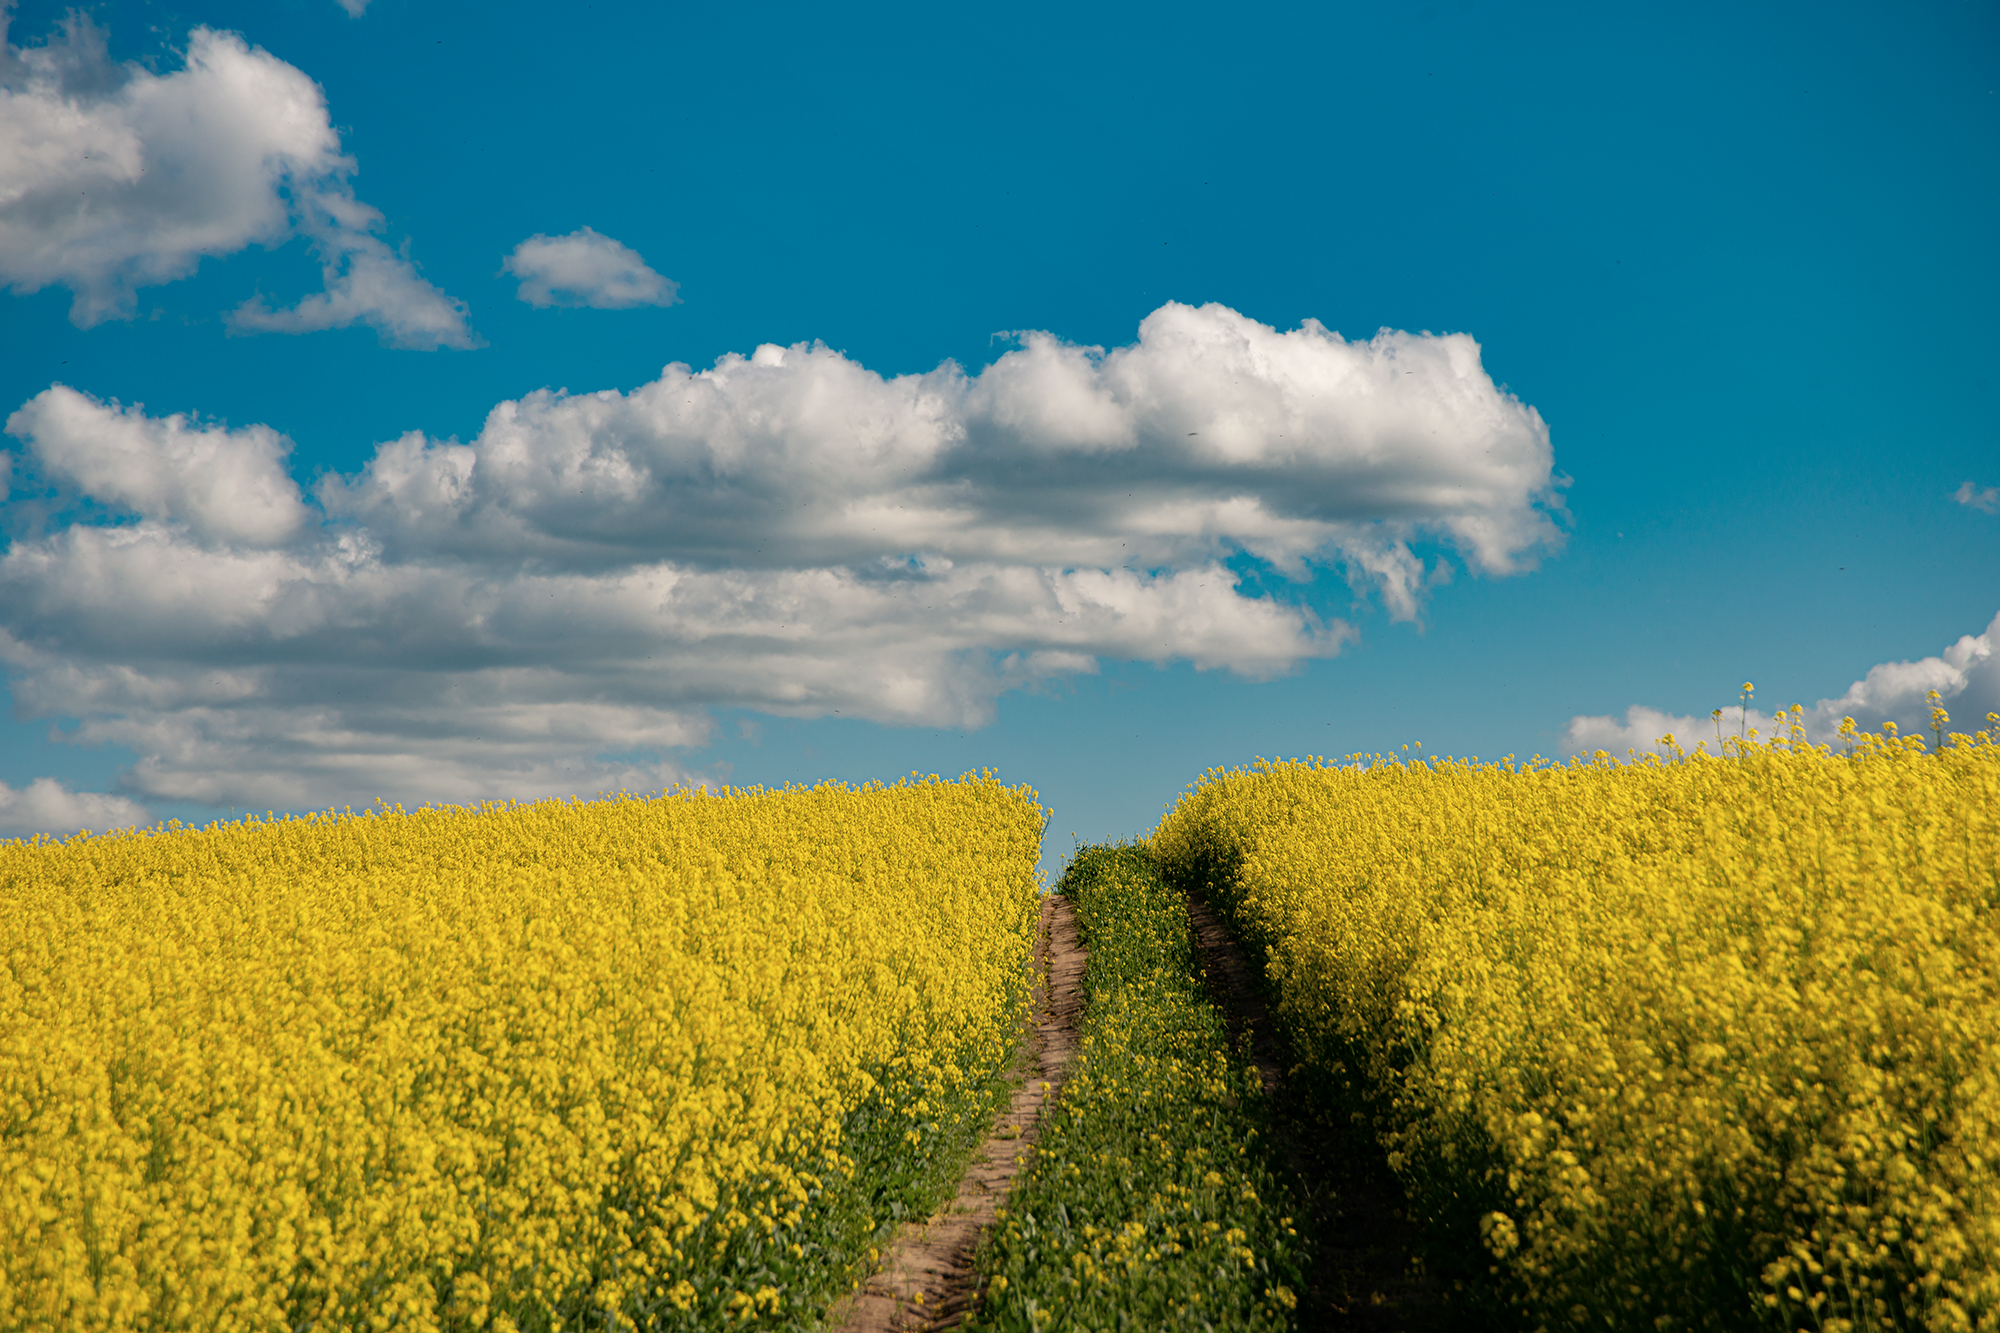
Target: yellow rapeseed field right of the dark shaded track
(1675, 1046)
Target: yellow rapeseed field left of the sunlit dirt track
(541, 1066)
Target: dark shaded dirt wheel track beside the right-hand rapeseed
(1361, 1276)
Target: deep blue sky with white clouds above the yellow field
(1733, 407)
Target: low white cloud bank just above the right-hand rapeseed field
(1967, 676)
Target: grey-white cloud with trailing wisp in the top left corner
(115, 179)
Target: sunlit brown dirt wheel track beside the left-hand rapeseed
(927, 1276)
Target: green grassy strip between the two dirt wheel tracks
(1151, 1202)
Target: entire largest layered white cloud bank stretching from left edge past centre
(559, 603)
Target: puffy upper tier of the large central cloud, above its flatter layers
(1209, 435)
